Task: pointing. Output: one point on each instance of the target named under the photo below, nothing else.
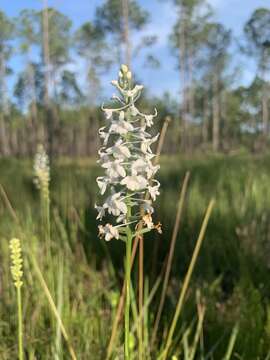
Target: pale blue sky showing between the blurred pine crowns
(232, 13)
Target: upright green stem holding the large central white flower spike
(127, 280)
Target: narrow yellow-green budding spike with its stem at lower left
(17, 274)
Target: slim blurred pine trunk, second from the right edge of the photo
(216, 113)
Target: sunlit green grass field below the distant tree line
(85, 275)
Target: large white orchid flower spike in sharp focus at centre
(126, 156)
